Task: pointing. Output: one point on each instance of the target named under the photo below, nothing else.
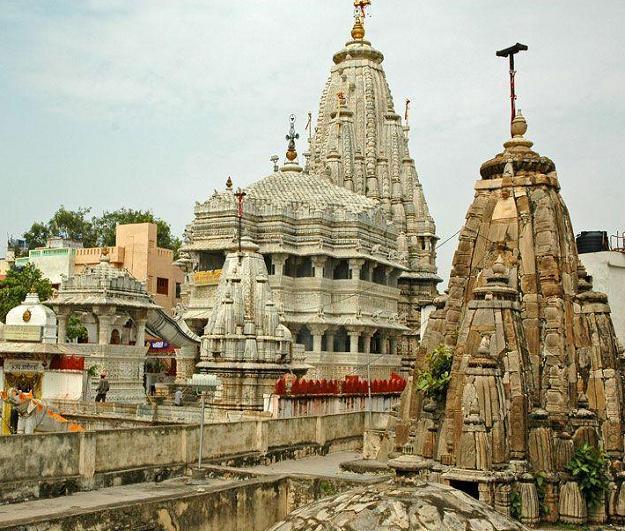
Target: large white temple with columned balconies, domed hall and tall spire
(347, 238)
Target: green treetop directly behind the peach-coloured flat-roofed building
(107, 223)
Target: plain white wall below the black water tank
(607, 269)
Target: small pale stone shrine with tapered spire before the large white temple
(244, 343)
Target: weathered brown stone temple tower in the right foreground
(537, 370)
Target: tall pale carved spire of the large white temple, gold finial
(361, 143)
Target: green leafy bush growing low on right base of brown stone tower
(589, 467)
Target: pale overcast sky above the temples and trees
(153, 103)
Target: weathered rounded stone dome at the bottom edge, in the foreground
(393, 506)
